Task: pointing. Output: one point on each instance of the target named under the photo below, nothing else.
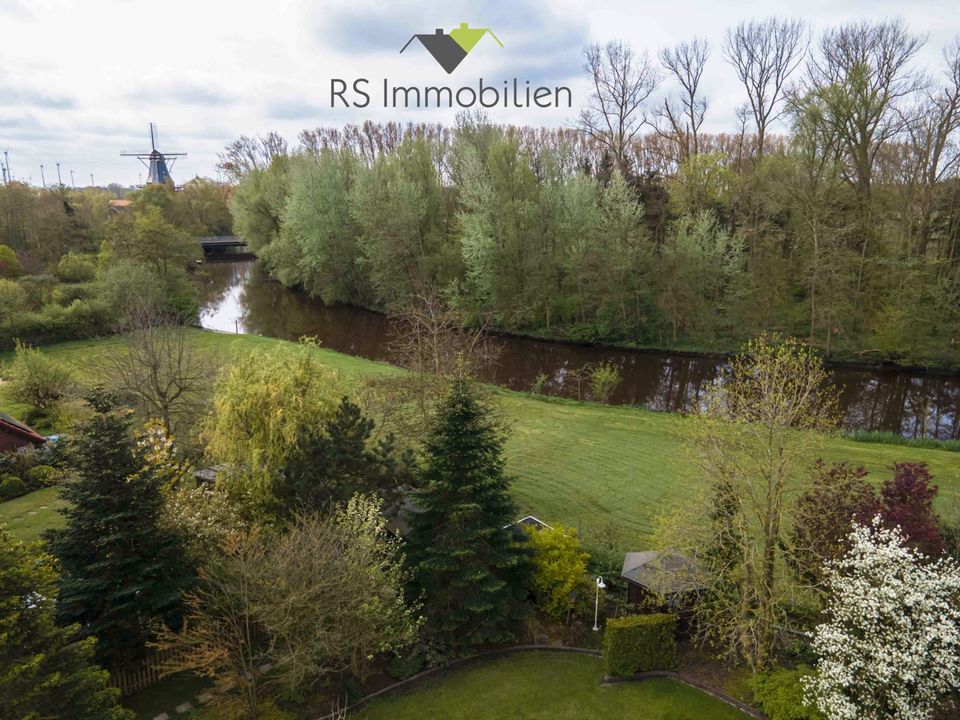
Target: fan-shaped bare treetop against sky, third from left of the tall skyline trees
(765, 53)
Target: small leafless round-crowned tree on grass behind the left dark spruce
(157, 365)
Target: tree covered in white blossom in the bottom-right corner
(891, 646)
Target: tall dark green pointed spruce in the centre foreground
(469, 567)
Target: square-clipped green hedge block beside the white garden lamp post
(638, 643)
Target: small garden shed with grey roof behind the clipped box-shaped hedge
(652, 574)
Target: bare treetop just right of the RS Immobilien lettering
(621, 83)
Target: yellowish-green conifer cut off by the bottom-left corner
(45, 670)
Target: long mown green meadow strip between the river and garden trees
(586, 464)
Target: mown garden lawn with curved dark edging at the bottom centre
(554, 686)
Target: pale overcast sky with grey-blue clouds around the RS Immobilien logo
(80, 81)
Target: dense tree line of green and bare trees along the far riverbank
(635, 226)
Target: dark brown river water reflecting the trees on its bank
(241, 298)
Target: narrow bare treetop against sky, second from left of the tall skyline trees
(686, 61)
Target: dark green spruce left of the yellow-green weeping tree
(121, 571)
